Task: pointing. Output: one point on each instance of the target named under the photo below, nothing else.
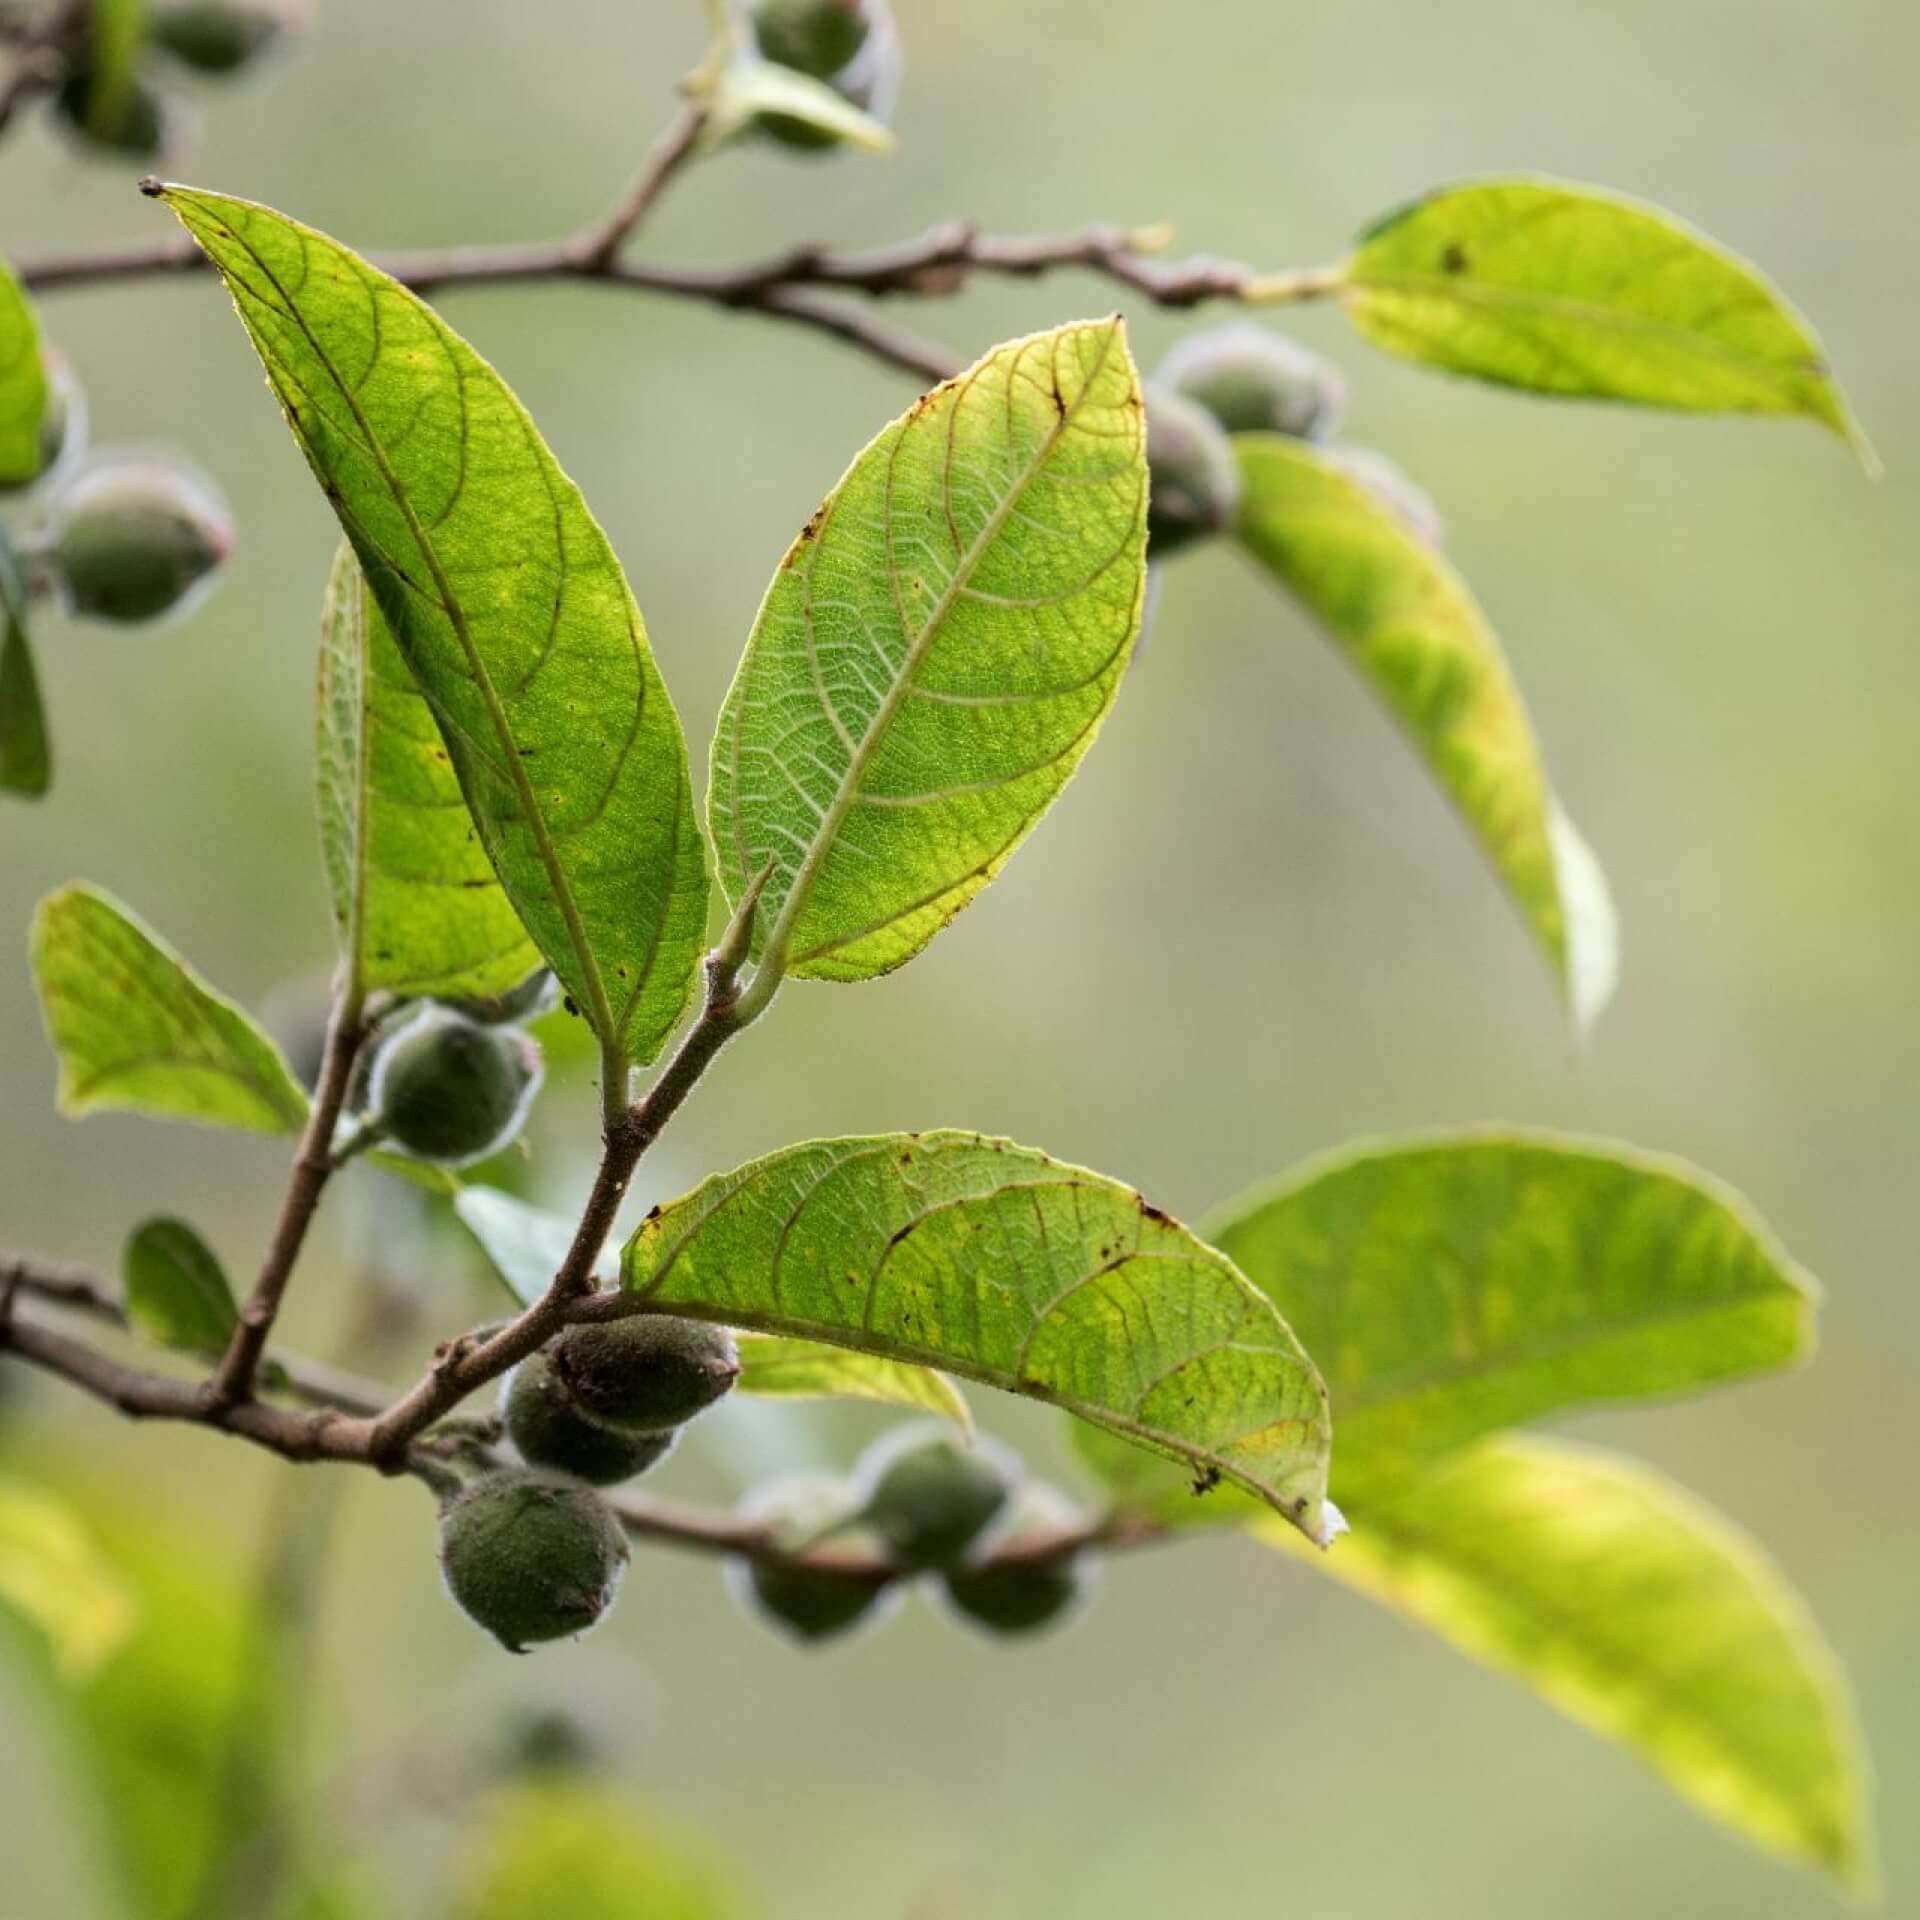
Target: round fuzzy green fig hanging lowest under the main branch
(531, 1556)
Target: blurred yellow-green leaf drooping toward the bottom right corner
(1643, 1616)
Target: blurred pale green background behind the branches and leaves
(1251, 930)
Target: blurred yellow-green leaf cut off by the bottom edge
(571, 1848)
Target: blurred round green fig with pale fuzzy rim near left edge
(135, 537)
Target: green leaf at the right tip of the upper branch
(1585, 295)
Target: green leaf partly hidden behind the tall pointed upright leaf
(418, 905)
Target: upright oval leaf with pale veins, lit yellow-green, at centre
(936, 654)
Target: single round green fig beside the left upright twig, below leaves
(452, 1092)
